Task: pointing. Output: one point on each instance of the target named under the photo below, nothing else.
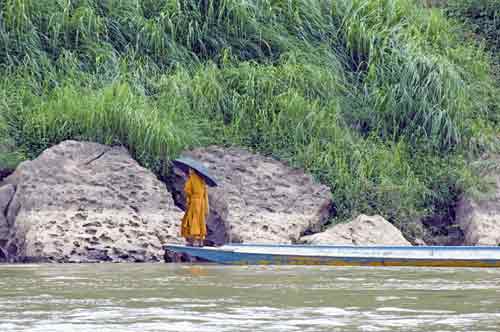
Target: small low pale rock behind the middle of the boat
(364, 230)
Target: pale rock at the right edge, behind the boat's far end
(480, 218)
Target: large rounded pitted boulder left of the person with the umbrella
(86, 202)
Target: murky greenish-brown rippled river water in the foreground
(170, 297)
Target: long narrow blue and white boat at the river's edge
(272, 254)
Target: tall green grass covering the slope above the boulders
(378, 98)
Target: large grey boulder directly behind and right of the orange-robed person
(258, 199)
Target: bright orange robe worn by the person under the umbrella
(193, 223)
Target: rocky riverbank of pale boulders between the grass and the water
(86, 202)
